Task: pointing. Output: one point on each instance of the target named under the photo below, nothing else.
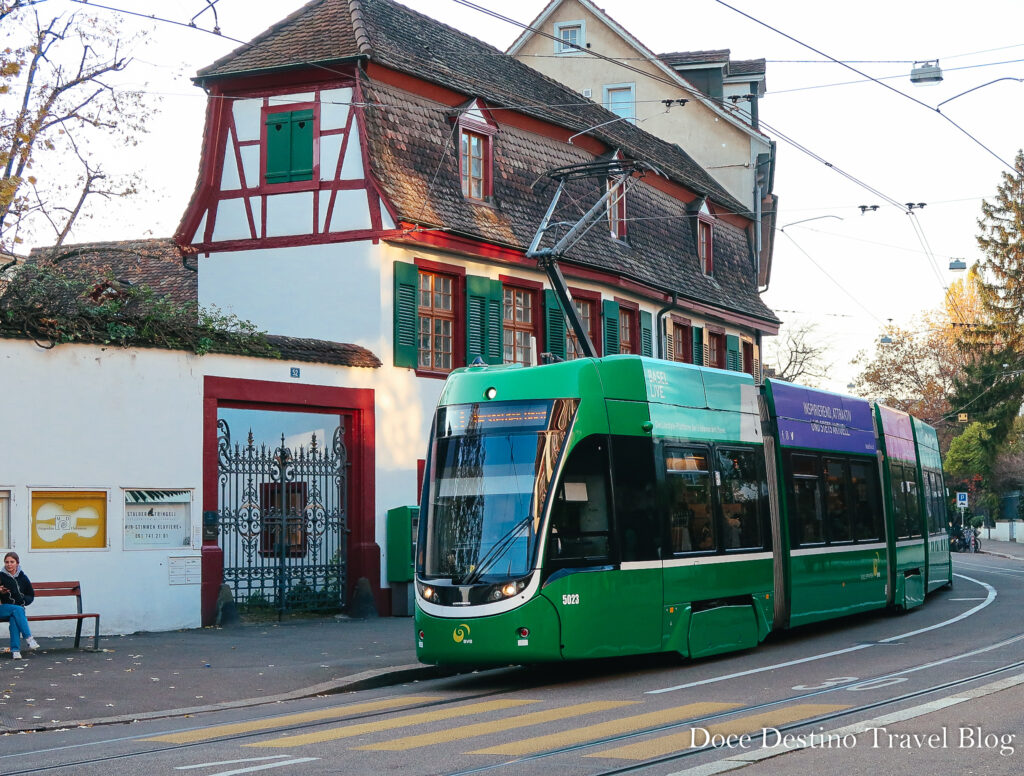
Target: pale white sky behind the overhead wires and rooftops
(847, 272)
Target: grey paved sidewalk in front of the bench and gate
(157, 674)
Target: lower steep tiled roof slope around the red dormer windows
(408, 137)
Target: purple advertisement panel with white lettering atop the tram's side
(825, 421)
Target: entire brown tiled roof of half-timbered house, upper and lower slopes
(412, 153)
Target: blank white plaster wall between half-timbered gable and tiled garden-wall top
(328, 292)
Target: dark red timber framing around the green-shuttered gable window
(223, 140)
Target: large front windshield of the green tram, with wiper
(492, 466)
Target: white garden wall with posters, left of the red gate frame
(103, 419)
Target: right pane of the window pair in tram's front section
(743, 495)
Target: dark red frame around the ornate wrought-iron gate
(357, 405)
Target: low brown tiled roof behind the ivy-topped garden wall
(157, 264)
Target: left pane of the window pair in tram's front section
(689, 481)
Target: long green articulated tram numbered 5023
(625, 505)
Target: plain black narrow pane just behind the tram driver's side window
(638, 519)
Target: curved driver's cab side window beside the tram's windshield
(580, 513)
